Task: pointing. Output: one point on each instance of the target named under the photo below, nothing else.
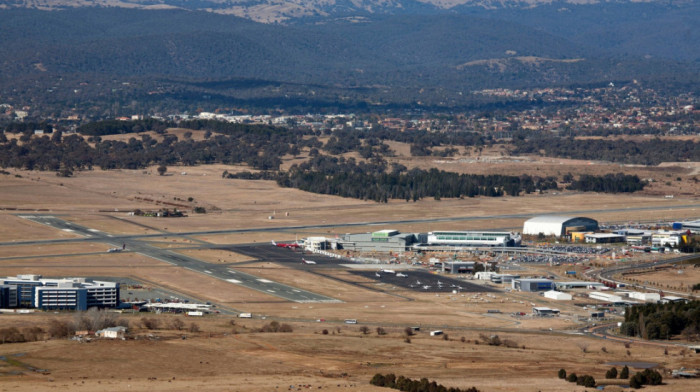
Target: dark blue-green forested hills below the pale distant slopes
(147, 58)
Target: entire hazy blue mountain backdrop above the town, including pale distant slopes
(360, 52)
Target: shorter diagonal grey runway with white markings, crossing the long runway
(222, 272)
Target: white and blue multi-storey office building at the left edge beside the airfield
(60, 294)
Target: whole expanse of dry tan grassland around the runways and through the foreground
(234, 357)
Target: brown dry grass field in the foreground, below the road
(235, 358)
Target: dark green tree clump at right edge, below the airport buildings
(663, 321)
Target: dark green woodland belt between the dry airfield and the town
(262, 147)
